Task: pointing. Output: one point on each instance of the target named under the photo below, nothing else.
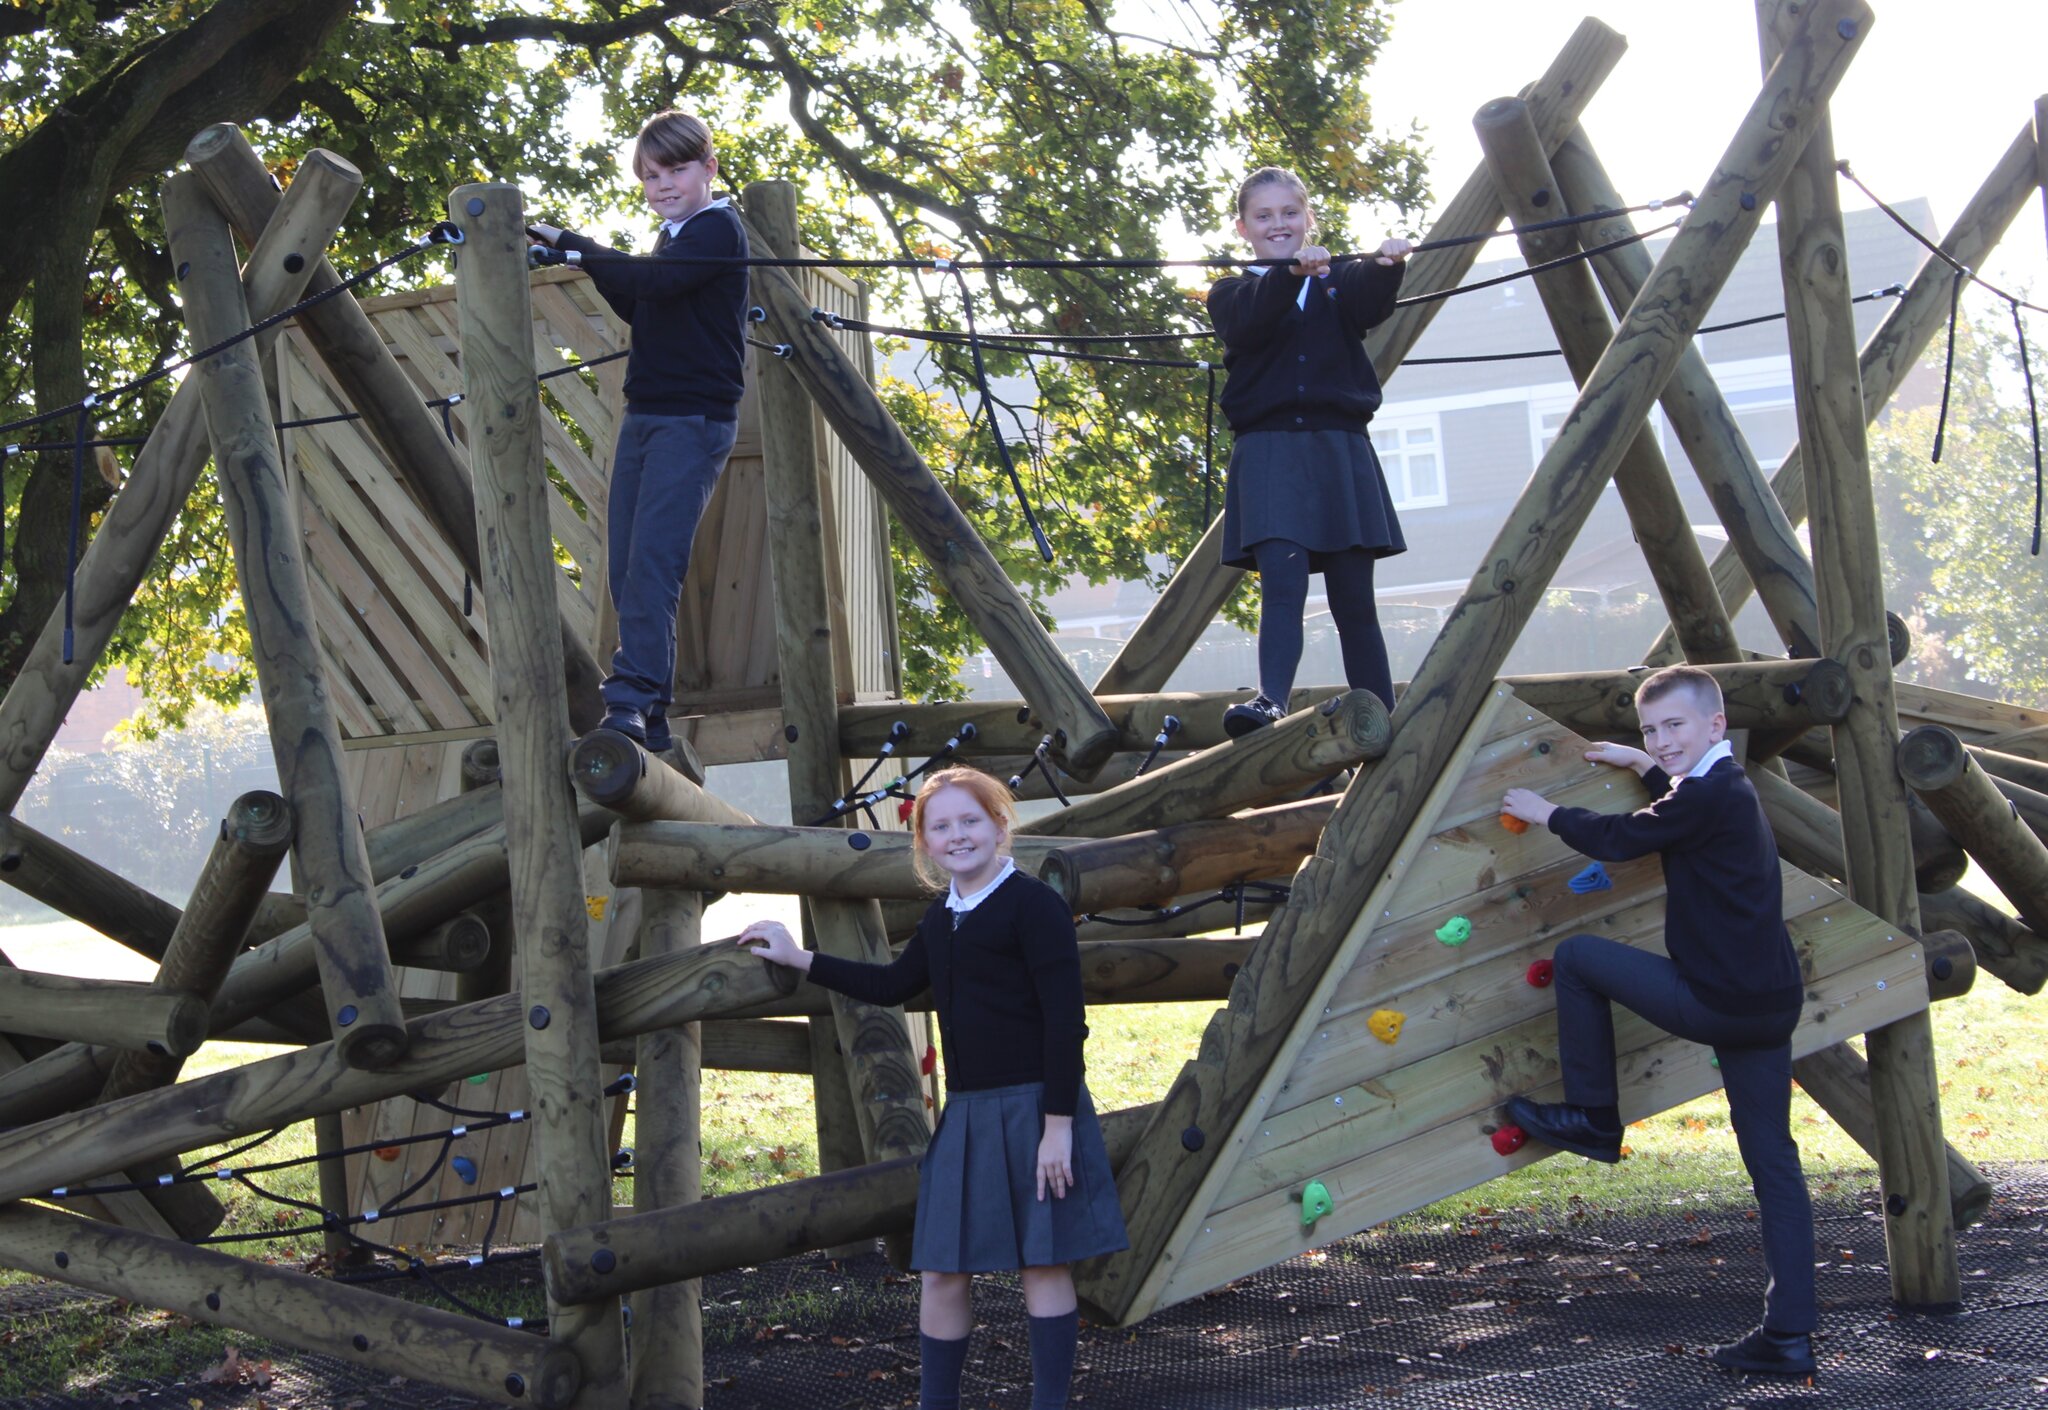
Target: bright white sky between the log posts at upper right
(1932, 101)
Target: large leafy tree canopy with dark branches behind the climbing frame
(988, 128)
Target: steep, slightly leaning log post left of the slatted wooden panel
(329, 856)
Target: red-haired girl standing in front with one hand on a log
(1017, 1175)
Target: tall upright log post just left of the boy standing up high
(495, 304)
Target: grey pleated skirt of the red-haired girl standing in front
(978, 1190)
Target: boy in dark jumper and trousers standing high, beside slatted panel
(687, 308)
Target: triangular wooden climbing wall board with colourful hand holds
(1390, 1128)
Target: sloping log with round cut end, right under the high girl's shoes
(1258, 770)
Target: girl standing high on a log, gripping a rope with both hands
(1306, 491)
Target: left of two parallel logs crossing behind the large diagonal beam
(1531, 196)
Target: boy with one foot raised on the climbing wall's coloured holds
(1732, 981)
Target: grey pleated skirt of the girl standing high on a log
(1318, 489)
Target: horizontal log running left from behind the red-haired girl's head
(759, 858)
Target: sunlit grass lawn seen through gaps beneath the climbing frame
(1992, 1052)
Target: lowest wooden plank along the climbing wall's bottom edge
(1455, 1155)
